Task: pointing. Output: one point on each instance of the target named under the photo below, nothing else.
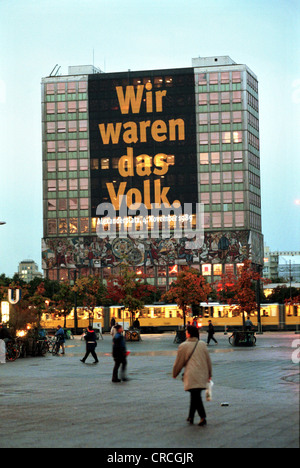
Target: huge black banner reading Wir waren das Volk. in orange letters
(143, 139)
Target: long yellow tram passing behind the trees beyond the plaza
(158, 318)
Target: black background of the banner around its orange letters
(178, 103)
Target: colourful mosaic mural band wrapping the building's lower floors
(92, 252)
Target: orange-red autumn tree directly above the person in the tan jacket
(188, 290)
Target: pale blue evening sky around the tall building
(118, 35)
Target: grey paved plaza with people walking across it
(57, 401)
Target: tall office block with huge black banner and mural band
(187, 135)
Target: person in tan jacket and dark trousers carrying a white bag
(193, 355)
